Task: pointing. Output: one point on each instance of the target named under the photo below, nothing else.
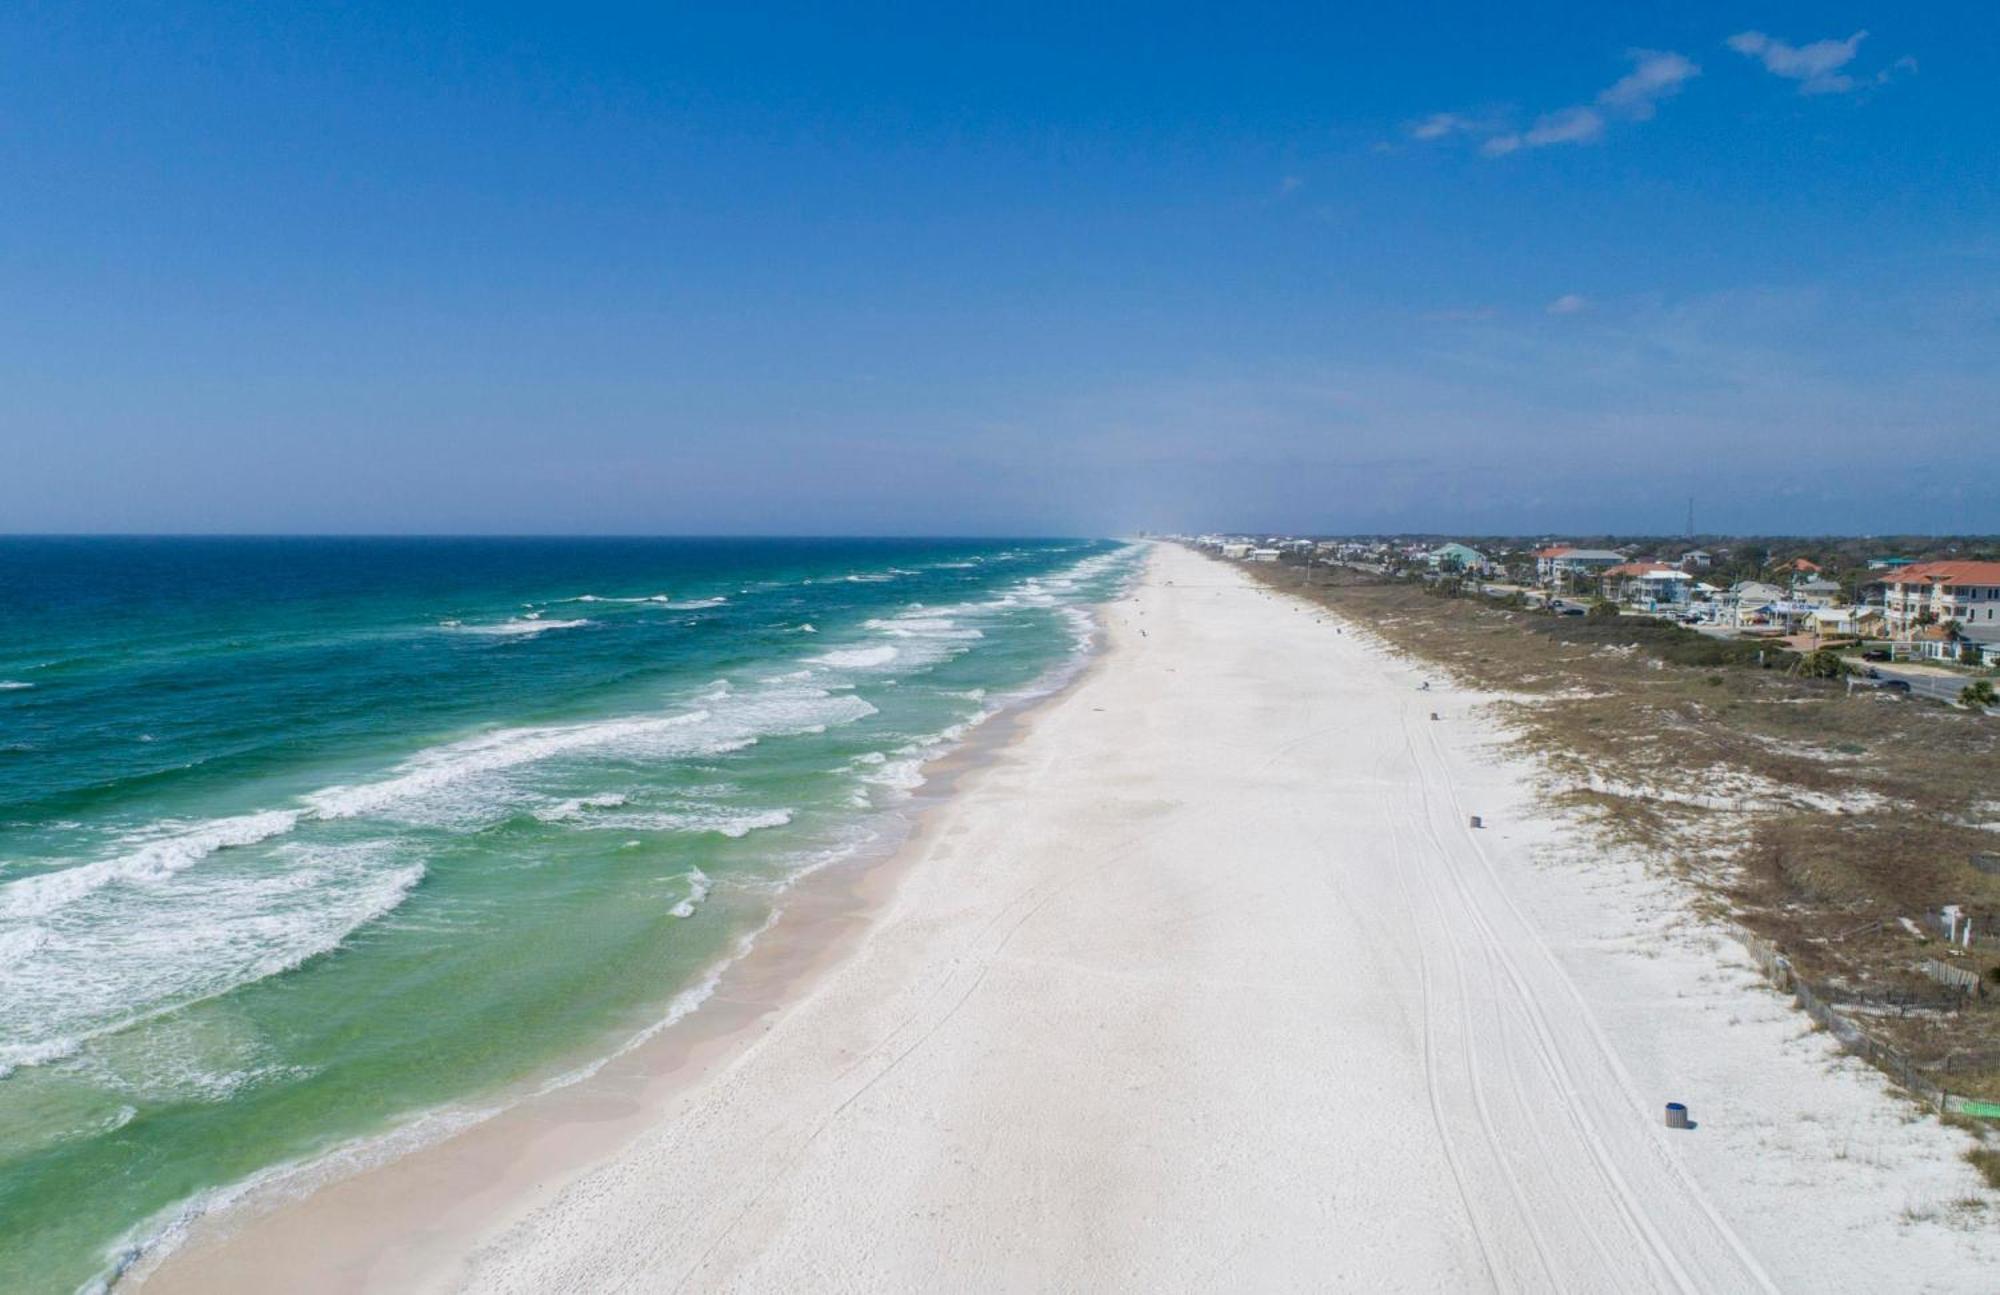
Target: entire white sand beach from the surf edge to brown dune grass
(1201, 982)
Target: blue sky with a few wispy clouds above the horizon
(1043, 271)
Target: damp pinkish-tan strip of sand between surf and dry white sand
(589, 1104)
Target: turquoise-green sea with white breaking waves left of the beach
(303, 840)
